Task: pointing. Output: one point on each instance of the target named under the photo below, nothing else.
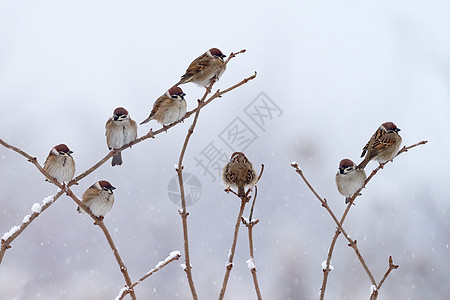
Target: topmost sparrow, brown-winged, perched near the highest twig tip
(205, 68)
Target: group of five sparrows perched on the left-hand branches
(121, 130)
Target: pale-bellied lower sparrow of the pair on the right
(349, 179)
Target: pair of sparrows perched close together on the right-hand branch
(383, 146)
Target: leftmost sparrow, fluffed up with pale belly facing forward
(60, 164)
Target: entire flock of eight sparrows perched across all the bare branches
(239, 173)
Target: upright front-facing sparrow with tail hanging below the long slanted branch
(120, 131)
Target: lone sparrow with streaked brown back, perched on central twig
(239, 173)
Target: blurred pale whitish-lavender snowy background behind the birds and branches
(337, 70)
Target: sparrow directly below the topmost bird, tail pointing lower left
(168, 108)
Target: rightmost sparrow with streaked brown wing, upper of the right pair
(383, 145)
